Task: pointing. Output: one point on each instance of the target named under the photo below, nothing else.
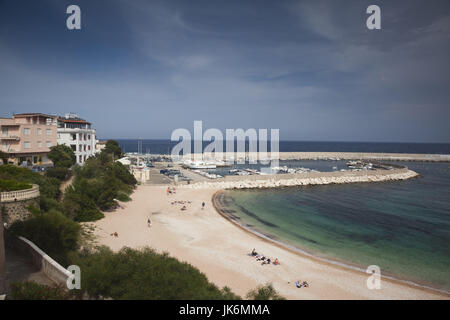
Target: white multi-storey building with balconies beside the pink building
(77, 134)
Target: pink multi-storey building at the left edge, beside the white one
(27, 138)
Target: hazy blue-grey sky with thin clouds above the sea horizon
(311, 69)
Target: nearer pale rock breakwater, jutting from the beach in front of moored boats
(305, 179)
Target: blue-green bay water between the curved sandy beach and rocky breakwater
(403, 227)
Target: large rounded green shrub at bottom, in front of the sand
(144, 274)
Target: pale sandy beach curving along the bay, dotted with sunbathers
(220, 249)
